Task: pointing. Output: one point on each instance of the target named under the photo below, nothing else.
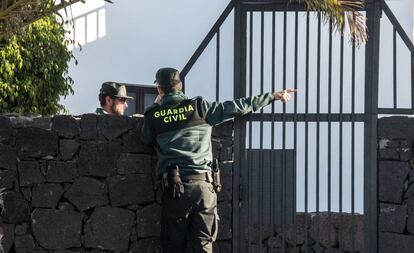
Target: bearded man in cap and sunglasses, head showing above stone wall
(113, 98)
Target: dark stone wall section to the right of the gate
(396, 184)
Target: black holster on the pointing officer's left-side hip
(171, 182)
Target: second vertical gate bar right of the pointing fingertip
(318, 100)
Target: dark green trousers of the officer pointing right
(193, 216)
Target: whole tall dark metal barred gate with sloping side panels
(305, 173)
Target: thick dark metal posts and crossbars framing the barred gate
(374, 9)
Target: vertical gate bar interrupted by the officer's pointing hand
(284, 133)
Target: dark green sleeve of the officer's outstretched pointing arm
(218, 112)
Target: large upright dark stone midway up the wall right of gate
(391, 178)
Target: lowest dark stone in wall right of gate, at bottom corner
(390, 242)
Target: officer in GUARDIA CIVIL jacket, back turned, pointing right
(180, 129)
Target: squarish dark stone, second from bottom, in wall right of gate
(392, 218)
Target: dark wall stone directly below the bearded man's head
(113, 126)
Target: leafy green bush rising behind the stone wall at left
(34, 69)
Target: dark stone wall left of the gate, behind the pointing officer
(86, 184)
